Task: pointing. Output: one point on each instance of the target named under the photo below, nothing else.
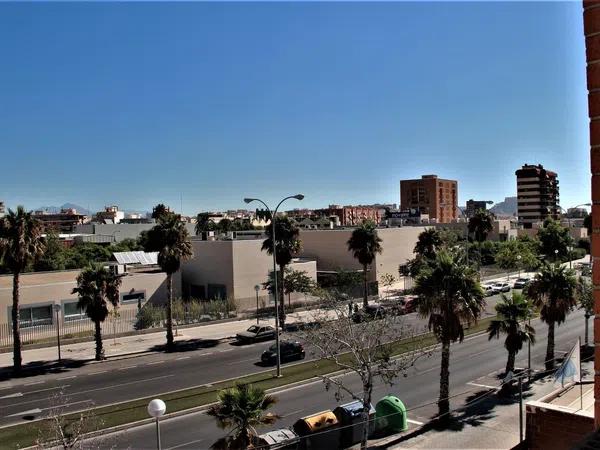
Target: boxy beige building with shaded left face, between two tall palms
(231, 269)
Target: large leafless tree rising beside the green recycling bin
(367, 349)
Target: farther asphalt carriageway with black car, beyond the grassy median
(143, 376)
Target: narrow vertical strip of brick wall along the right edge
(591, 20)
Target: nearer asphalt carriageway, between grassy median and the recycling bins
(475, 366)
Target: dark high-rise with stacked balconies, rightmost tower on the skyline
(537, 194)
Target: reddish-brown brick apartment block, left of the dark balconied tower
(431, 195)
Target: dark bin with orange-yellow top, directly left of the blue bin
(311, 431)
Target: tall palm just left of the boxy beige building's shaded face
(170, 238)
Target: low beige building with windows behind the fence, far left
(40, 291)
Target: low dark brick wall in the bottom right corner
(551, 429)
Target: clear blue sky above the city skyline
(136, 104)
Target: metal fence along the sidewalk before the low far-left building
(78, 327)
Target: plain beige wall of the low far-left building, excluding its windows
(46, 288)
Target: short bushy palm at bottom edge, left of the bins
(241, 409)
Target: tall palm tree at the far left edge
(21, 244)
